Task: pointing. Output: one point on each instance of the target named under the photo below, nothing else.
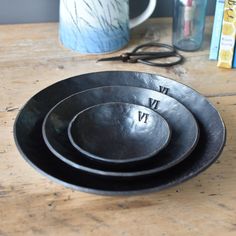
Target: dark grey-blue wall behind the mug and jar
(32, 11)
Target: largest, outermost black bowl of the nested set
(29, 140)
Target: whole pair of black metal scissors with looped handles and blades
(147, 57)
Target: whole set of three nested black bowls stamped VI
(119, 132)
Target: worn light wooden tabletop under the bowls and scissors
(31, 59)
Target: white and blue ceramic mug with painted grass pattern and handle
(98, 26)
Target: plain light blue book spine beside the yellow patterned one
(217, 27)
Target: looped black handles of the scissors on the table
(145, 57)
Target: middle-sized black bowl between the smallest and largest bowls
(183, 125)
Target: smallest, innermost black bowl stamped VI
(119, 132)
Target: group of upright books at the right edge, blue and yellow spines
(223, 46)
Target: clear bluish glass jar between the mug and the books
(189, 24)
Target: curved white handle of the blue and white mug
(145, 15)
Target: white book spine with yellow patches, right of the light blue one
(227, 42)
